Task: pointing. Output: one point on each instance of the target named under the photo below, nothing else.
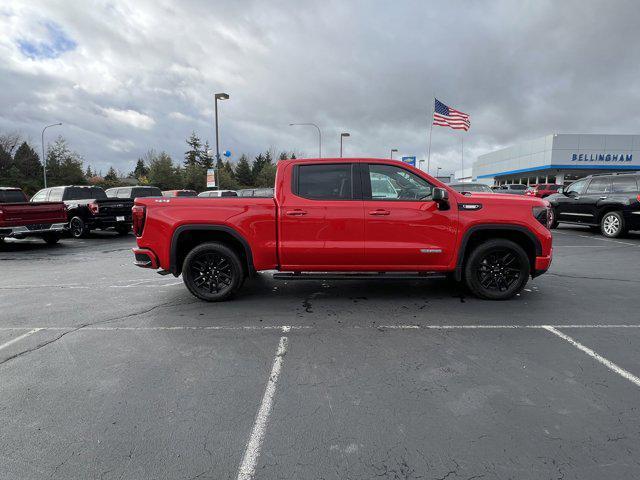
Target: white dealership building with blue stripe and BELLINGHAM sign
(558, 158)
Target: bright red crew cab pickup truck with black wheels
(347, 218)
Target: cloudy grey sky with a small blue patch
(126, 76)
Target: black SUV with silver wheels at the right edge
(609, 202)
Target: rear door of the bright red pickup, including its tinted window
(322, 219)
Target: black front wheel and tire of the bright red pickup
(497, 270)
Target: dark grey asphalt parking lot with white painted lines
(113, 372)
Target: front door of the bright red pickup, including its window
(404, 229)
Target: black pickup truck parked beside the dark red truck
(89, 208)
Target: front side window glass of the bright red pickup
(389, 182)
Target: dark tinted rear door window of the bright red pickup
(325, 182)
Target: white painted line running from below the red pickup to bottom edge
(252, 452)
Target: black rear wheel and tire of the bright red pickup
(212, 272)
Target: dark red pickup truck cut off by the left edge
(21, 219)
